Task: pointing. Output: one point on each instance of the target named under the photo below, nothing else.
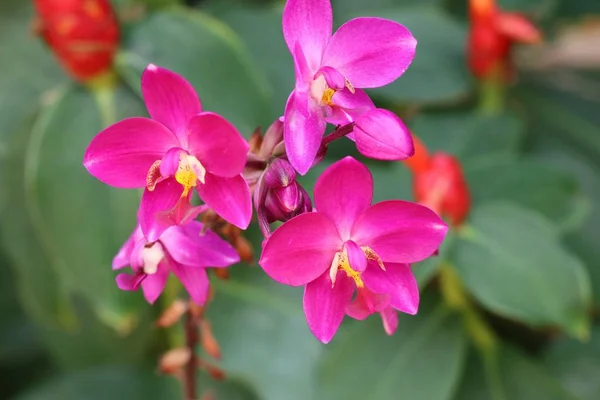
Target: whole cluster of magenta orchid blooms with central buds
(352, 256)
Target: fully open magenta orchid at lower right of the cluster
(348, 245)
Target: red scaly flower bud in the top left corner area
(83, 34)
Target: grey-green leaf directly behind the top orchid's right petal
(438, 73)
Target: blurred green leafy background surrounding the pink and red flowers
(508, 309)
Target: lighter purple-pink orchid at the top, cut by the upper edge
(330, 72)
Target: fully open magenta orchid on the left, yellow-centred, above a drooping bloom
(180, 148)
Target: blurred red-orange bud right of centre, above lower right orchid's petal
(442, 187)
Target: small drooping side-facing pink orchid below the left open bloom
(185, 250)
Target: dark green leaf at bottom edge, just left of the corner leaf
(512, 376)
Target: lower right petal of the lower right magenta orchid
(398, 281)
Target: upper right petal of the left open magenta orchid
(217, 144)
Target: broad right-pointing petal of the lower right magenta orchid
(400, 231)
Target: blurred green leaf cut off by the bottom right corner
(576, 365)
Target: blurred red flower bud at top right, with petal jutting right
(491, 37)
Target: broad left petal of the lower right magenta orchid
(301, 249)
